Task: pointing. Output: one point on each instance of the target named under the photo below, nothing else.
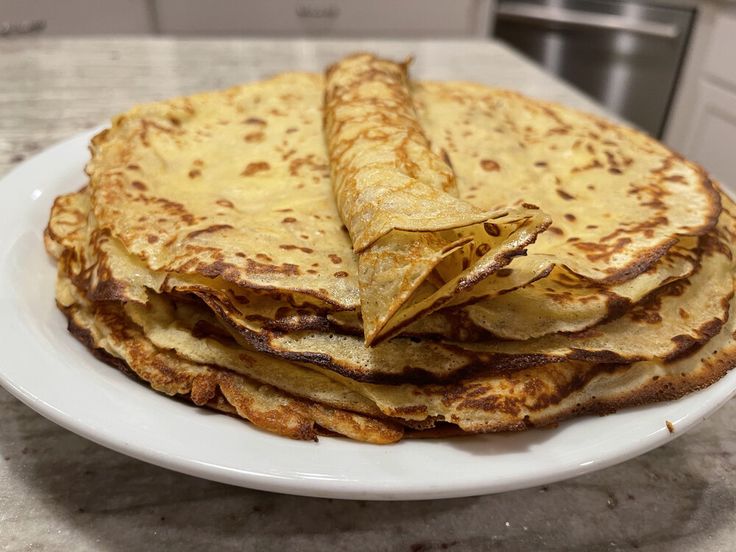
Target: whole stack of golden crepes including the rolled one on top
(364, 255)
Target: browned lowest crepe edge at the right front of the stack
(546, 395)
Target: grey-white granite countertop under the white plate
(59, 491)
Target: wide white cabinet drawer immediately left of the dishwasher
(428, 18)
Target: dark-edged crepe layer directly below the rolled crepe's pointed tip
(657, 329)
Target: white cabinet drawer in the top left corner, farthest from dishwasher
(74, 17)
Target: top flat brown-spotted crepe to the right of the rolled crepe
(618, 198)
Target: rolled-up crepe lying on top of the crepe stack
(419, 247)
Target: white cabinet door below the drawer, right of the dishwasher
(712, 138)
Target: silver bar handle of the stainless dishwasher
(562, 16)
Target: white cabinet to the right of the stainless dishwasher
(702, 125)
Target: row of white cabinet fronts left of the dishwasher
(288, 18)
